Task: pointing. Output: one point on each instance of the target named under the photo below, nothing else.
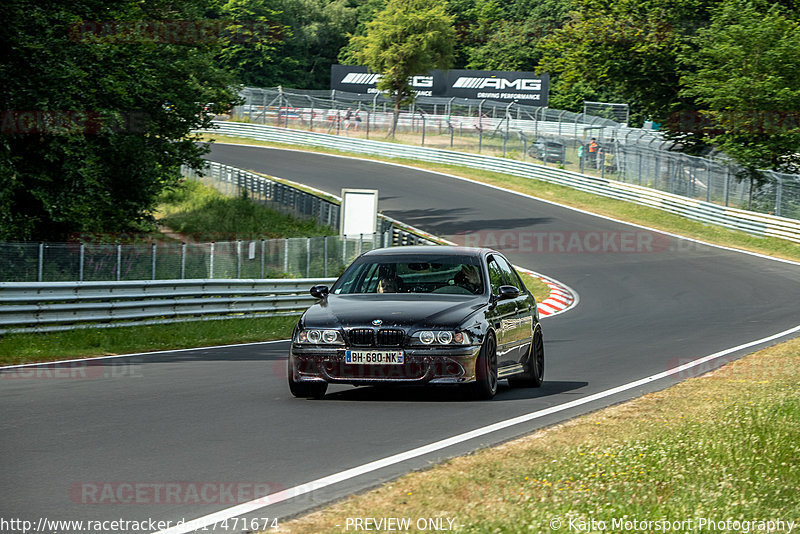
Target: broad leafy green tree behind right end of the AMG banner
(626, 50)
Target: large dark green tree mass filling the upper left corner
(97, 117)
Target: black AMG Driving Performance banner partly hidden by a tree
(521, 87)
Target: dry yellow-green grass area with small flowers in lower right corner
(723, 447)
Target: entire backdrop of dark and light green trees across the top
(97, 113)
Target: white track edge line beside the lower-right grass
(347, 474)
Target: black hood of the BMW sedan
(399, 310)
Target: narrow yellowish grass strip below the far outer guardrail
(642, 215)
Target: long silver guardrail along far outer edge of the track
(707, 212)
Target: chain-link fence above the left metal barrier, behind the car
(266, 258)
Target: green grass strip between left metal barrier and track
(41, 347)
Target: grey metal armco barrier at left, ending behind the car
(53, 306)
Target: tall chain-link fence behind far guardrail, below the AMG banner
(579, 142)
